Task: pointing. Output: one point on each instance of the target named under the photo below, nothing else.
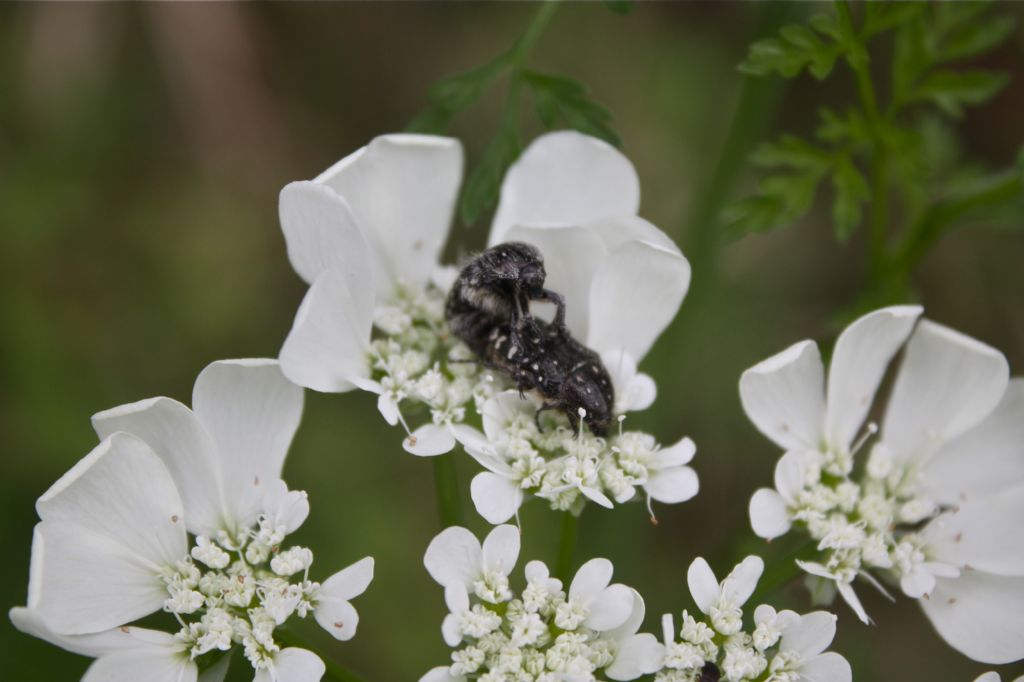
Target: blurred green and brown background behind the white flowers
(142, 151)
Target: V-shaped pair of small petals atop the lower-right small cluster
(723, 602)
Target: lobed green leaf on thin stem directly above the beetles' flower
(560, 102)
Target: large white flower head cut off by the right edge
(936, 507)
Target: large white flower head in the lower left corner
(185, 511)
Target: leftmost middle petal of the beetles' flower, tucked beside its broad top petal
(322, 233)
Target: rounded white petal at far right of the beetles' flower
(635, 293)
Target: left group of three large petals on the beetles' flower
(371, 225)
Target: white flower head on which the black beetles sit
(368, 234)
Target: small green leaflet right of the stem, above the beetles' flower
(560, 99)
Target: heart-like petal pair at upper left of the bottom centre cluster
(456, 558)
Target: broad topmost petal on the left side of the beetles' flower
(402, 190)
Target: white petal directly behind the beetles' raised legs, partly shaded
(575, 253)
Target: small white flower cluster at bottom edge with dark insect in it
(784, 647)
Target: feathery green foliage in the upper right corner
(878, 151)
